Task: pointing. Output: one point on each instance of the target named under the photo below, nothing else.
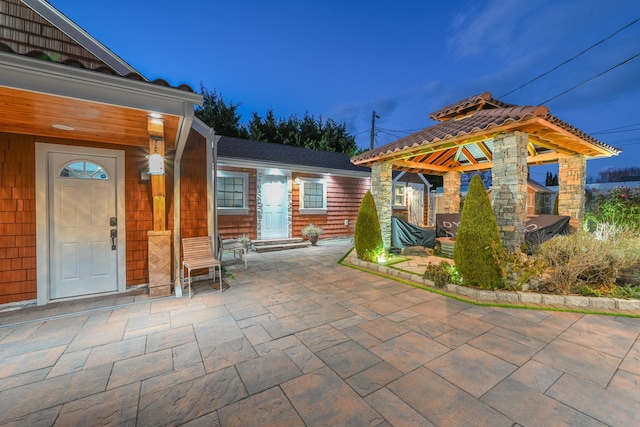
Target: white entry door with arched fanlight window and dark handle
(82, 198)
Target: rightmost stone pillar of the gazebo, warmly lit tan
(572, 176)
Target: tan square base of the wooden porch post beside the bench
(159, 263)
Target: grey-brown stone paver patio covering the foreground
(300, 340)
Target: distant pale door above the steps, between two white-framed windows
(274, 207)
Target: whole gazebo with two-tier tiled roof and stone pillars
(481, 133)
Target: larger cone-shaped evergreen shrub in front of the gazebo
(478, 236)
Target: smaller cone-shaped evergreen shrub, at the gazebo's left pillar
(368, 237)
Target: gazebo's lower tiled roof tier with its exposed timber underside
(466, 144)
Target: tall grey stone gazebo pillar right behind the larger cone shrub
(509, 187)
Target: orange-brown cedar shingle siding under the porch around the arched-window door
(18, 213)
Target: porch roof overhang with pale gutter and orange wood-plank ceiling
(99, 107)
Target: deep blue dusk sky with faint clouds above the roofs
(343, 59)
